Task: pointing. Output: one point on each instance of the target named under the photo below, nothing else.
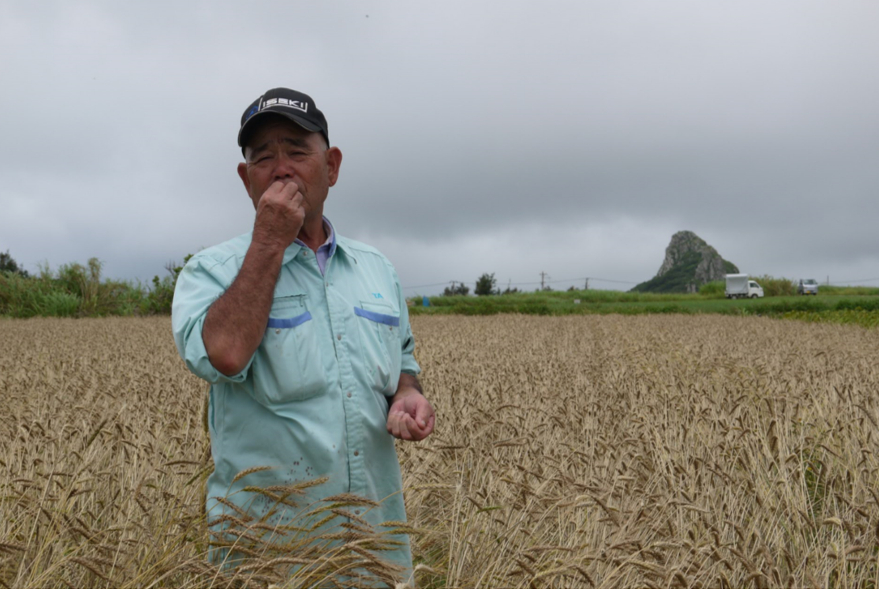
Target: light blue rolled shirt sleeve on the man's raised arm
(201, 282)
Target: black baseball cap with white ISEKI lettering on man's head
(296, 106)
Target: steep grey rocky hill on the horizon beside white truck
(689, 263)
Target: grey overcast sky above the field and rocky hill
(571, 138)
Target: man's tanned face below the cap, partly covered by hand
(279, 150)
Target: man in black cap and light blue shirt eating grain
(304, 336)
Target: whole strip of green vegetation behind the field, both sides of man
(75, 290)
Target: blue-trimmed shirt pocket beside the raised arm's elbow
(288, 364)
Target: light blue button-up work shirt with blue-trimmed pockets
(312, 401)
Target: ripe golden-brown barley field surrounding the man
(588, 451)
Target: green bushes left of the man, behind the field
(75, 290)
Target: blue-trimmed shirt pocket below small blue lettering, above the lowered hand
(379, 326)
